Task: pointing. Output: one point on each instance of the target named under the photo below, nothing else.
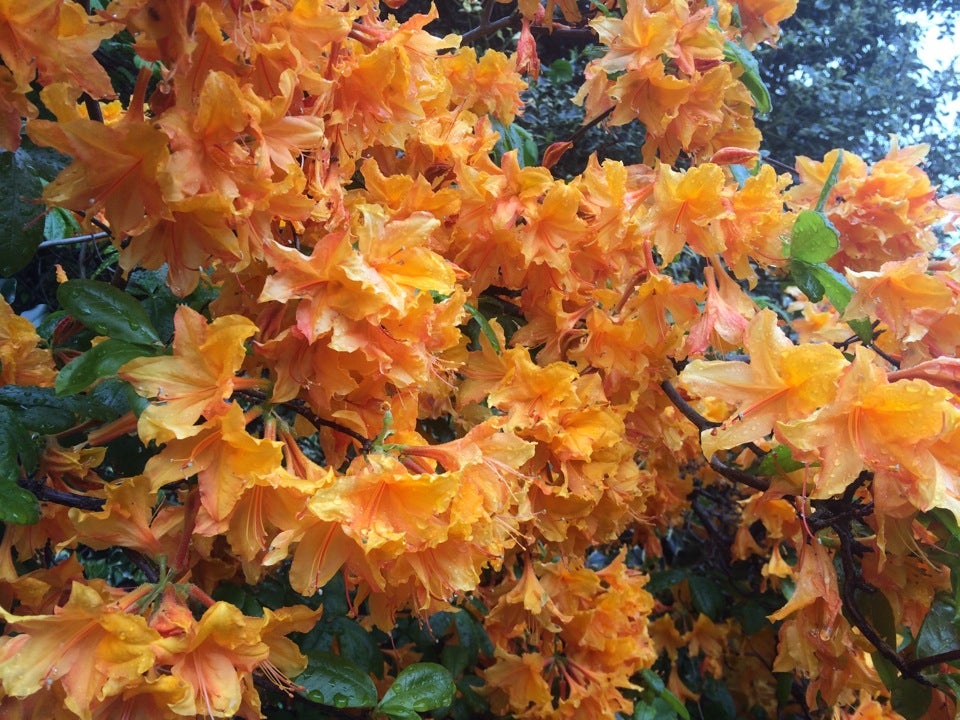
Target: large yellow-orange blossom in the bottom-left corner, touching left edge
(92, 649)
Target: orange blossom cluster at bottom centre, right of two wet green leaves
(602, 641)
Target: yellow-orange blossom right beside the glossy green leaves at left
(196, 380)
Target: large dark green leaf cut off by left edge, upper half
(21, 228)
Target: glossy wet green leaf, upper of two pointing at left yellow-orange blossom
(108, 311)
